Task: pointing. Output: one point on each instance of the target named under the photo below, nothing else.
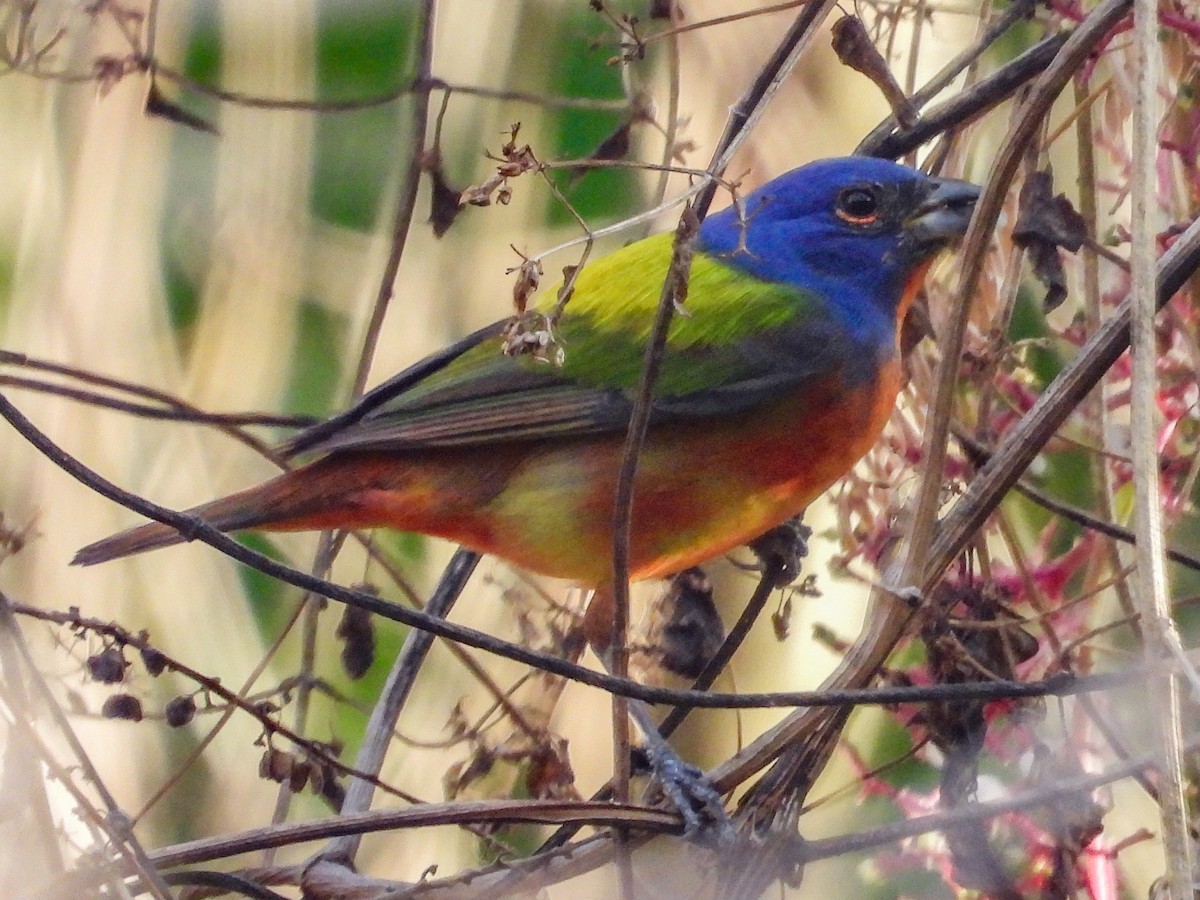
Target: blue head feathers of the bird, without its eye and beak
(793, 236)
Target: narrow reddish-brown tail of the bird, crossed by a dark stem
(274, 506)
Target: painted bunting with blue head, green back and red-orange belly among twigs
(778, 376)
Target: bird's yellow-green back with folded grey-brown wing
(740, 344)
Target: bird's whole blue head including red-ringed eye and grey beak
(851, 230)
